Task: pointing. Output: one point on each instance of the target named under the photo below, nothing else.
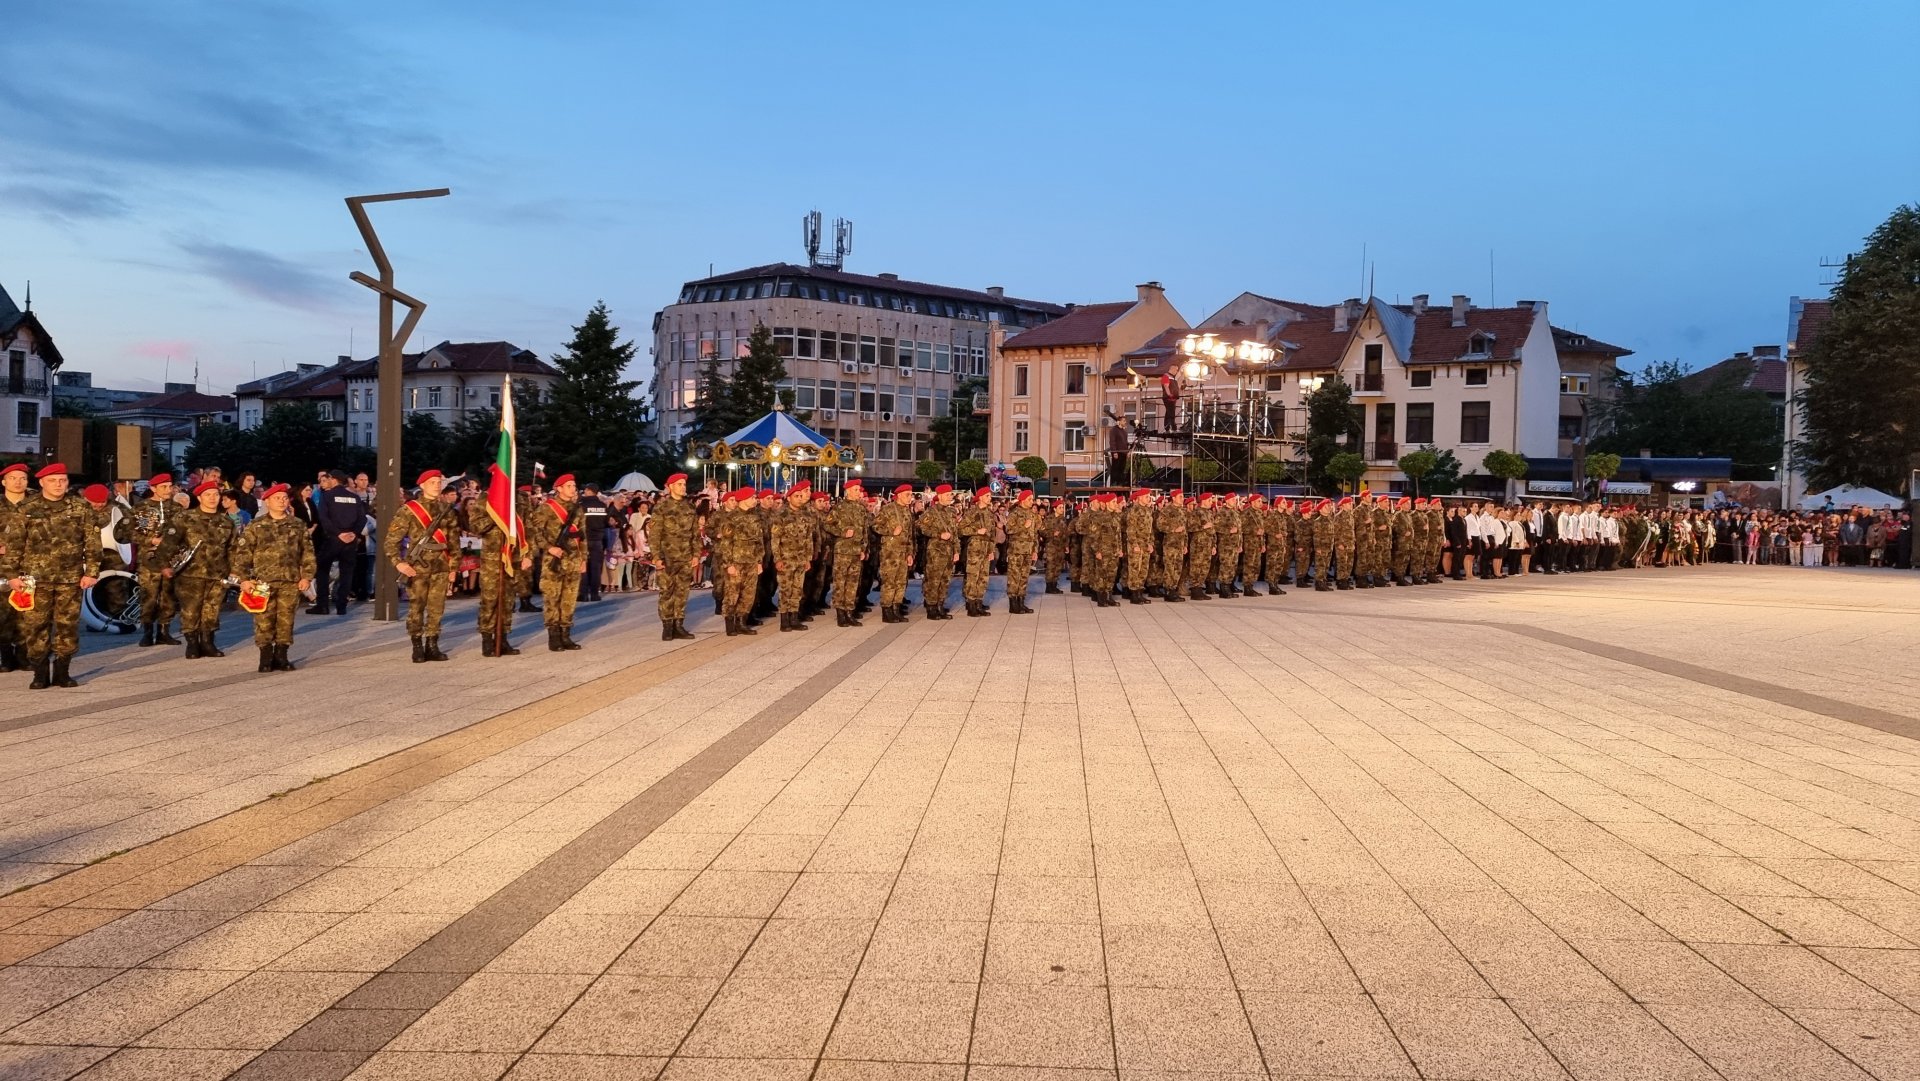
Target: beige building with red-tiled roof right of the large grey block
(1055, 389)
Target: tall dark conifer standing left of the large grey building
(592, 420)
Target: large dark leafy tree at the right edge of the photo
(1863, 372)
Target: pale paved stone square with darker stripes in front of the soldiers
(1654, 825)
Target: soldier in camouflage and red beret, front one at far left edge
(55, 542)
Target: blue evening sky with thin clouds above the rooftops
(172, 176)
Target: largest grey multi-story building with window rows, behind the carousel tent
(871, 360)
